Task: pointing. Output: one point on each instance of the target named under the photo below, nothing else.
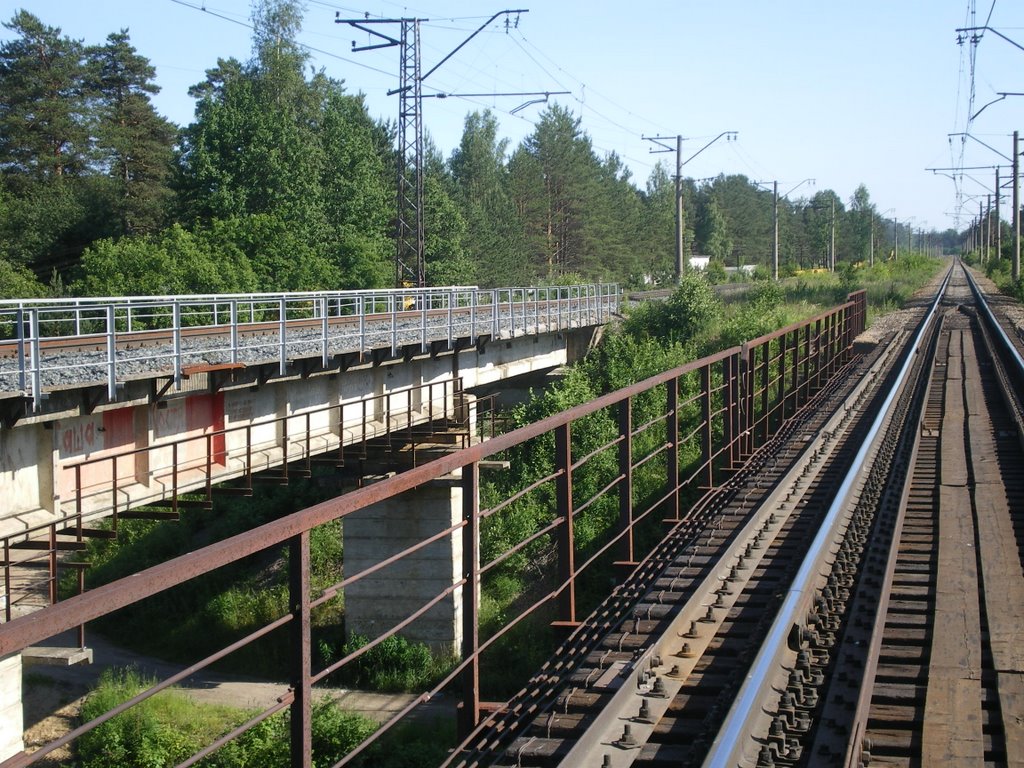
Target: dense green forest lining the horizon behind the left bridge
(284, 182)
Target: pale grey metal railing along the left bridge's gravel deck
(149, 335)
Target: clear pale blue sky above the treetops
(843, 93)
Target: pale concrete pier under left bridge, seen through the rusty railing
(389, 596)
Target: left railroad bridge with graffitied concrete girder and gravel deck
(137, 408)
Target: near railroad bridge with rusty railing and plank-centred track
(815, 540)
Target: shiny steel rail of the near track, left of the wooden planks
(729, 748)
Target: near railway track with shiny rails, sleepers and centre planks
(854, 596)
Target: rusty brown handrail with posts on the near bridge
(718, 444)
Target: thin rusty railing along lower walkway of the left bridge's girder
(197, 463)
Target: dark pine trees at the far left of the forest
(83, 156)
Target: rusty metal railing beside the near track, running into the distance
(679, 433)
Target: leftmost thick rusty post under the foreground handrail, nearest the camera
(301, 652)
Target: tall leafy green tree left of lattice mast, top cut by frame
(296, 163)
